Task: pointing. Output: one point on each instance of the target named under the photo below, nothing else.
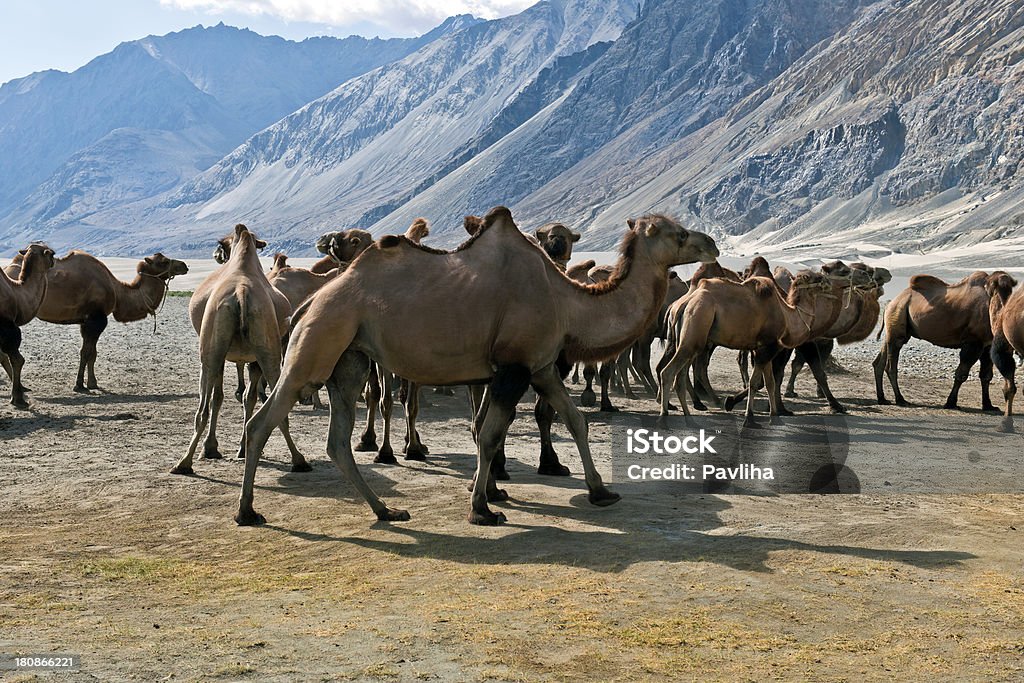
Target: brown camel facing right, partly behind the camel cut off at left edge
(82, 291)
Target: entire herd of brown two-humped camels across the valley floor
(503, 313)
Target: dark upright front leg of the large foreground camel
(505, 391)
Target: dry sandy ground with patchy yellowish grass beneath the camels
(144, 574)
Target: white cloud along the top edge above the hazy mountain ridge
(397, 15)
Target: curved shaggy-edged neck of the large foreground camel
(605, 320)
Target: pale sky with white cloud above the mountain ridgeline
(37, 35)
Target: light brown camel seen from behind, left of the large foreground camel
(241, 318)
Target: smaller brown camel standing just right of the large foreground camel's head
(750, 316)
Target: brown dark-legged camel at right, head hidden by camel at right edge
(948, 316)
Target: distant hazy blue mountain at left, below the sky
(153, 113)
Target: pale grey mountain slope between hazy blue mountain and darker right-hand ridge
(382, 138)
